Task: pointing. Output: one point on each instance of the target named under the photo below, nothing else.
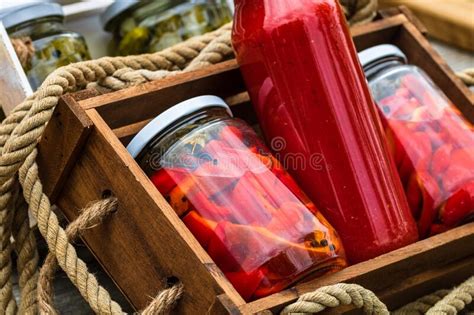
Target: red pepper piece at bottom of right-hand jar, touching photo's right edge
(459, 206)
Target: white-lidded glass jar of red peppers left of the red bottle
(236, 198)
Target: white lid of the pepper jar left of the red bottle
(171, 116)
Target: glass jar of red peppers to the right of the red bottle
(432, 143)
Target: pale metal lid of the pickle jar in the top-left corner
(17, 15)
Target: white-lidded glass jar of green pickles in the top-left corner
(53, 45)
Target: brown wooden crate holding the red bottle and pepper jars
(144, 245)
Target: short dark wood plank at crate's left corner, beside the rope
(61, 144)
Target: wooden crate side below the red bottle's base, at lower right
(435, 252)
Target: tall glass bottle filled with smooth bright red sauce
(307, 87)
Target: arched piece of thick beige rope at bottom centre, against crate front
(334, 296)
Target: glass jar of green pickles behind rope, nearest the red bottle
(153, 25)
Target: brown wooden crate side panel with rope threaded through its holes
(144, 242)
